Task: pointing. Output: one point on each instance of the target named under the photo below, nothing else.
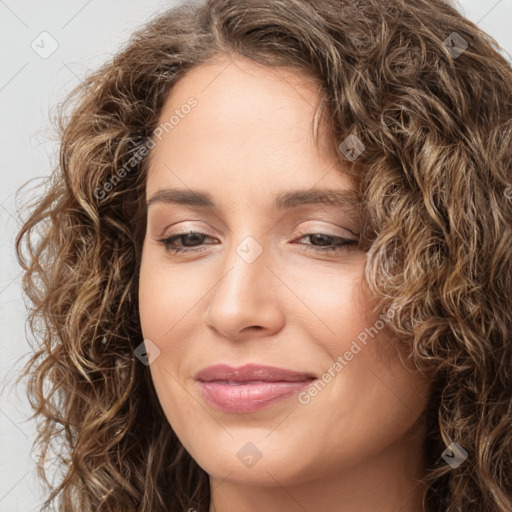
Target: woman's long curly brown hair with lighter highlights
(428, 94)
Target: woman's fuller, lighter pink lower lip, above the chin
(249, 397)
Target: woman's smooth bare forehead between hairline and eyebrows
(250, 124)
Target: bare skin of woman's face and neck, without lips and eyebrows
(356, 445)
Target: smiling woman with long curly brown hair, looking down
(275, 265)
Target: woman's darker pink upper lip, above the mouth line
(251, 372)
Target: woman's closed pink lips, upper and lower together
(250, 387)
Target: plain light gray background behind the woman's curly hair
(87, 34)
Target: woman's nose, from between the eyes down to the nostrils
(246, 302)
